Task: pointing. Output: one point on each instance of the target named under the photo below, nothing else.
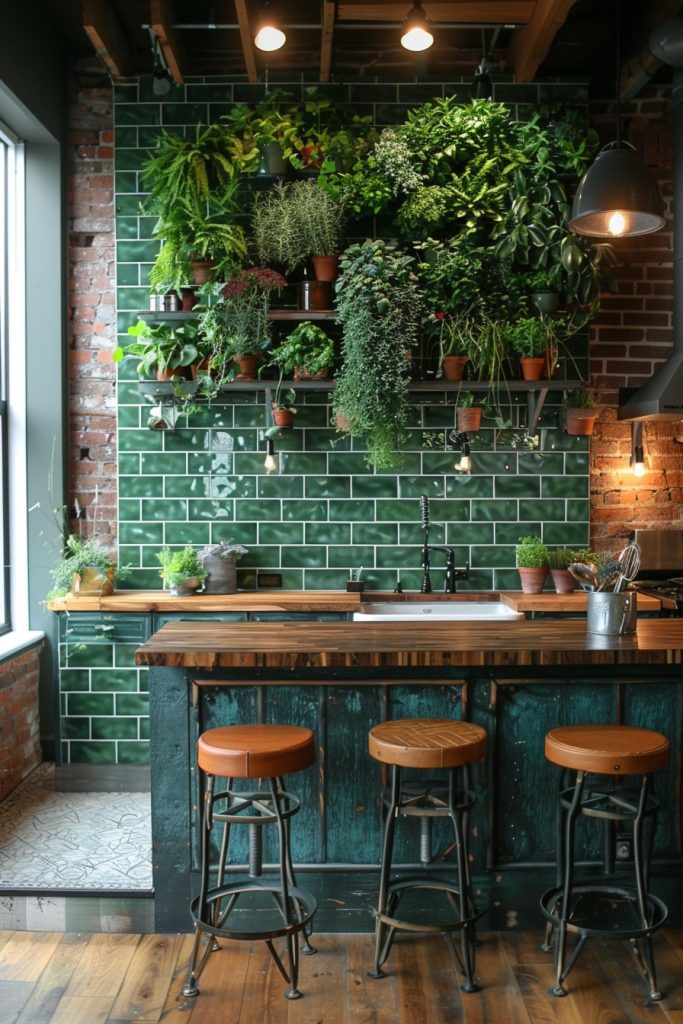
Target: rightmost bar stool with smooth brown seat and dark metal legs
(595, 908)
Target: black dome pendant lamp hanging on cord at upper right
(618, 197)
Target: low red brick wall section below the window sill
(20, 734)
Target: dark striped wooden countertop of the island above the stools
(327, 646)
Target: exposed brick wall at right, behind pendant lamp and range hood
(631, 336)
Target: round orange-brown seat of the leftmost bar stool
(255, 751)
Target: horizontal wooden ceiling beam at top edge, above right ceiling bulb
(456, 12)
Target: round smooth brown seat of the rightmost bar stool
(608, 750)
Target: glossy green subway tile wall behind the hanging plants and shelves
(325, 513)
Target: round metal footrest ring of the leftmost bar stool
(303, 899)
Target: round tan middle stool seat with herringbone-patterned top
(437, 743)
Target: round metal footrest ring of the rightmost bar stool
(626, 898)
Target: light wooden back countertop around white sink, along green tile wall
(315, 602)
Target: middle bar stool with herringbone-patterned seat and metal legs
(424, 744)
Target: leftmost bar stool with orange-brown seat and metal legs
(247, 752)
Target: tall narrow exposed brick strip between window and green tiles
(92, 302)
